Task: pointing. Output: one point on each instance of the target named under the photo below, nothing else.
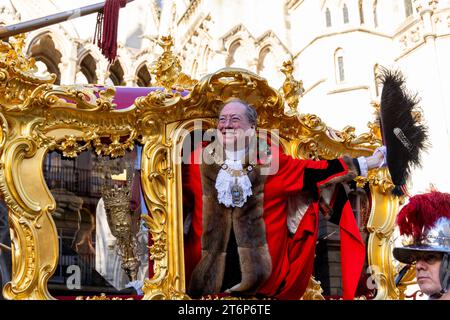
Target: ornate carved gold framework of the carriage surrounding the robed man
(37, 116)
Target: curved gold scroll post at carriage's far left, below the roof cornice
(31, 222)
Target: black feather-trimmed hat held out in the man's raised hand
(403, 135)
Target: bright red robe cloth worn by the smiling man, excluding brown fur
(292, 255)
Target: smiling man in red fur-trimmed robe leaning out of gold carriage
(240, 214)
